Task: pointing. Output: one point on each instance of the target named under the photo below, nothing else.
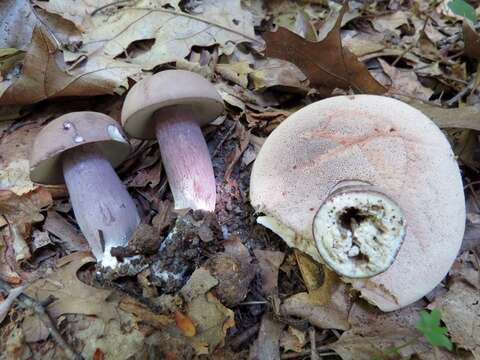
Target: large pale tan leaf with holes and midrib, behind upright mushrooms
(214, 22)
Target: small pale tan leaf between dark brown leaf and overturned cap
(405, 82)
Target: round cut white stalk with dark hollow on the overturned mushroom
(358, 230)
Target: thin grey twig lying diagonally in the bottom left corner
(39, 309)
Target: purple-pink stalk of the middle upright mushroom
(186, 159)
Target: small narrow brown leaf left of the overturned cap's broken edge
(269, 262)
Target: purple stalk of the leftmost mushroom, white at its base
(103, 207)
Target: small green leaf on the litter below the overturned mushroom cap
(429, 326)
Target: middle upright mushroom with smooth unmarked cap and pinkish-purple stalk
(172, 105)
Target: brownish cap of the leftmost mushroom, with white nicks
(72, 130)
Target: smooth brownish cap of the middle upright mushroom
(169, 88)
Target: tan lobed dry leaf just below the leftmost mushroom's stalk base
(72, 296)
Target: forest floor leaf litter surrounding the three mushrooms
(221, 287)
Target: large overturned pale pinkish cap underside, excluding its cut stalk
(380, 141)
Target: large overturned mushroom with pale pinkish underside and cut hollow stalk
(369, 186)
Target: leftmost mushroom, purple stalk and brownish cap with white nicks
(81, 149)
